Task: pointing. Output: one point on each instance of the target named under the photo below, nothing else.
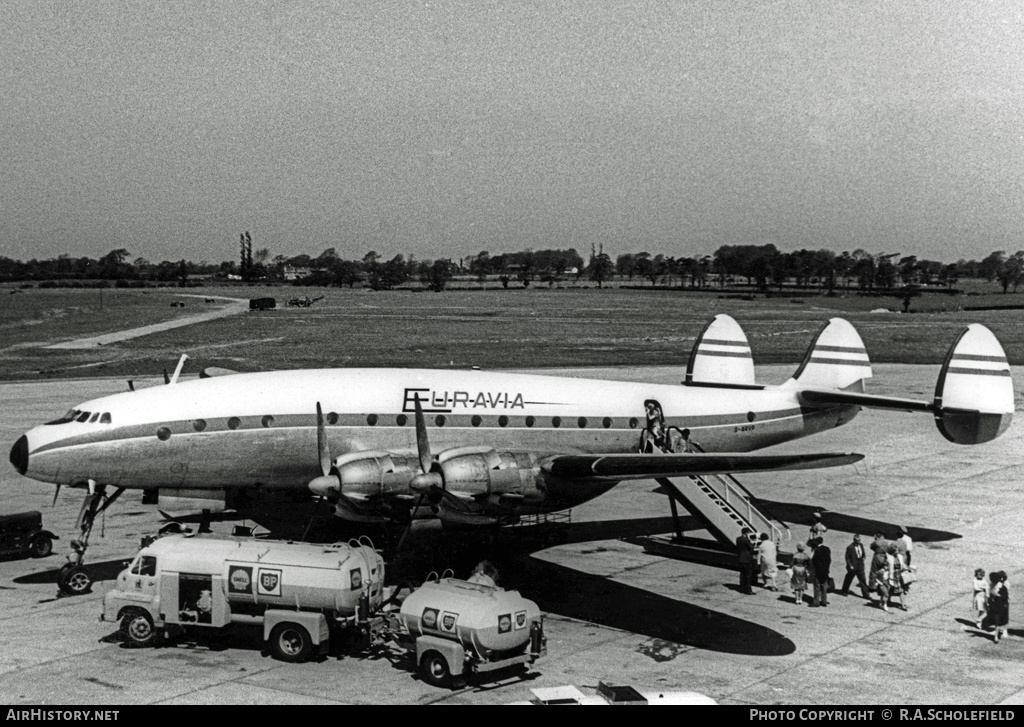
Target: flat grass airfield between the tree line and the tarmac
(492, 329)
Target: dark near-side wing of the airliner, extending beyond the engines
(621, 467)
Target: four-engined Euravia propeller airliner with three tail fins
(485, 449)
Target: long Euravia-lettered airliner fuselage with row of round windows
(260, 430)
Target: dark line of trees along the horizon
(758, 267)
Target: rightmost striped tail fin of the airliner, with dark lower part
(974, 397)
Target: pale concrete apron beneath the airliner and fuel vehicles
(615, 614)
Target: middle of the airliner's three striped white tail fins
(837, 359)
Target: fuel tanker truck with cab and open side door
(300, 592)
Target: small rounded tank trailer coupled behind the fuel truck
(459, 628)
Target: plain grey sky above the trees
(443, 130)
